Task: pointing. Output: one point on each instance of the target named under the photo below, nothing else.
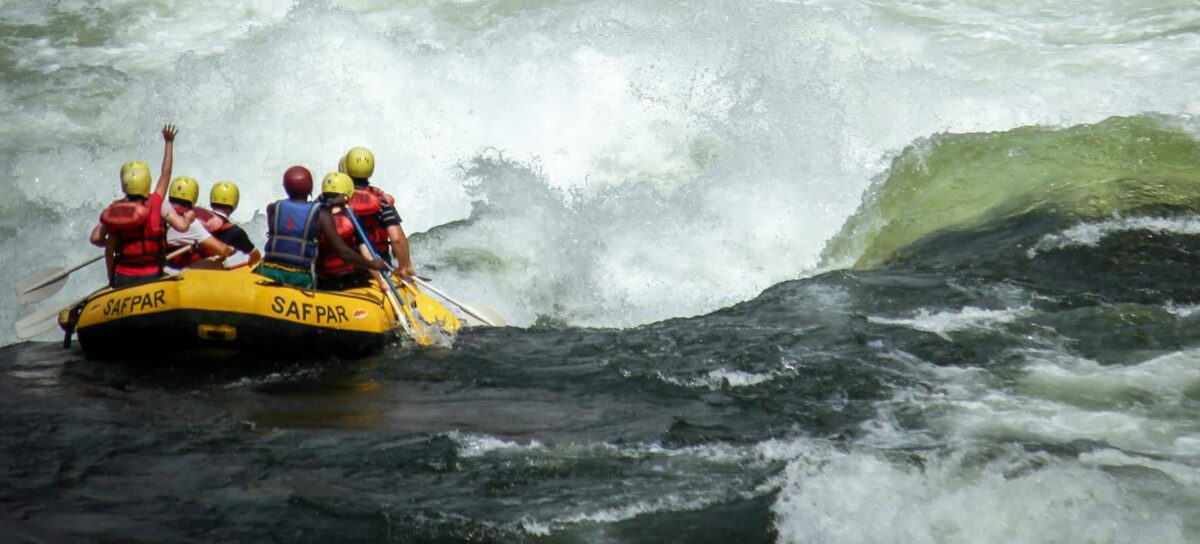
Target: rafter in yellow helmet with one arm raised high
(134, 230)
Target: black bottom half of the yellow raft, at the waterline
(158, 334)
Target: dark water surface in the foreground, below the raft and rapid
(688, 431)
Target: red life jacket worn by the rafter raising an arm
(140, 234)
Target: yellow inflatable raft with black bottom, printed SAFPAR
(244, 312)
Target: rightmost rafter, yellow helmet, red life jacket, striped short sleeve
(377, 213)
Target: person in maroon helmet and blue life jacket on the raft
(295, 230)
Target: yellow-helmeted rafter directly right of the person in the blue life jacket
(334, 272)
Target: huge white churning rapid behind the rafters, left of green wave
(626, 163)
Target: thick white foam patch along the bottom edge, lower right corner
(1007, 497)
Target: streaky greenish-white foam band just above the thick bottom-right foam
(1058, 398)
